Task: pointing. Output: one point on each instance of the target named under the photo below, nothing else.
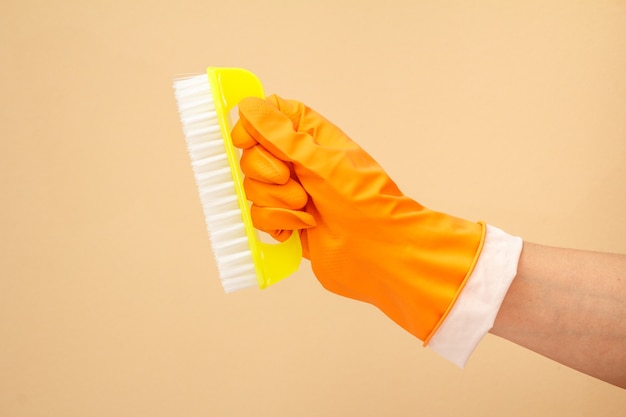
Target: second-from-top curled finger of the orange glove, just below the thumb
(257, 163)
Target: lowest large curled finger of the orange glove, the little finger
(275, 220)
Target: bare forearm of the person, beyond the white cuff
(570, 306)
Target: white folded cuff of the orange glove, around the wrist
(476, 308)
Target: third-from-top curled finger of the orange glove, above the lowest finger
(289, 196)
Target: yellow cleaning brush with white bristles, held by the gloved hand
(204, 104)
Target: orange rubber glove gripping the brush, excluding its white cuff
(364, 238)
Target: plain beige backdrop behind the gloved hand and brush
(512, 112)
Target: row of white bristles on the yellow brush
(209, 161)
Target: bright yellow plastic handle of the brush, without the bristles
(272, 262)
